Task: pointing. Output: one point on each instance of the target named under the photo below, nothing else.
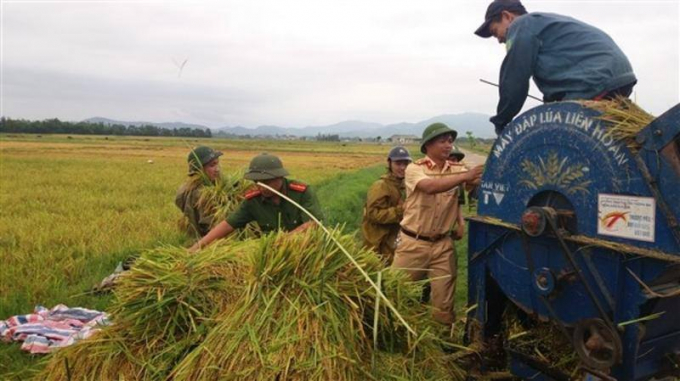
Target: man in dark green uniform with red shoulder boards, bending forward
(266, 208)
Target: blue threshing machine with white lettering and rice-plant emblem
(581, 231)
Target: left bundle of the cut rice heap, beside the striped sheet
(163, 307)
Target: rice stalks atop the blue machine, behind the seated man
(624, 119)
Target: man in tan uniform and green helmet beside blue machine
(425, 248)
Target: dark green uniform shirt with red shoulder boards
(270, 216)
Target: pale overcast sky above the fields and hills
(291, 63)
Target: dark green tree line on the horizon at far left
(56, 126)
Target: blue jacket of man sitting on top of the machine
(567, 58)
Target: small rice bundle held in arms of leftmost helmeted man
(220, 198)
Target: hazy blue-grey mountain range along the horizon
(477, 123)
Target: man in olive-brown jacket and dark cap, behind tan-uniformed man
(384, 206)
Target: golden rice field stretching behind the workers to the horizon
(73, 207)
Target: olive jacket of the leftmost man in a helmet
(186, 199)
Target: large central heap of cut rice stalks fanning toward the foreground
(307, 313)
